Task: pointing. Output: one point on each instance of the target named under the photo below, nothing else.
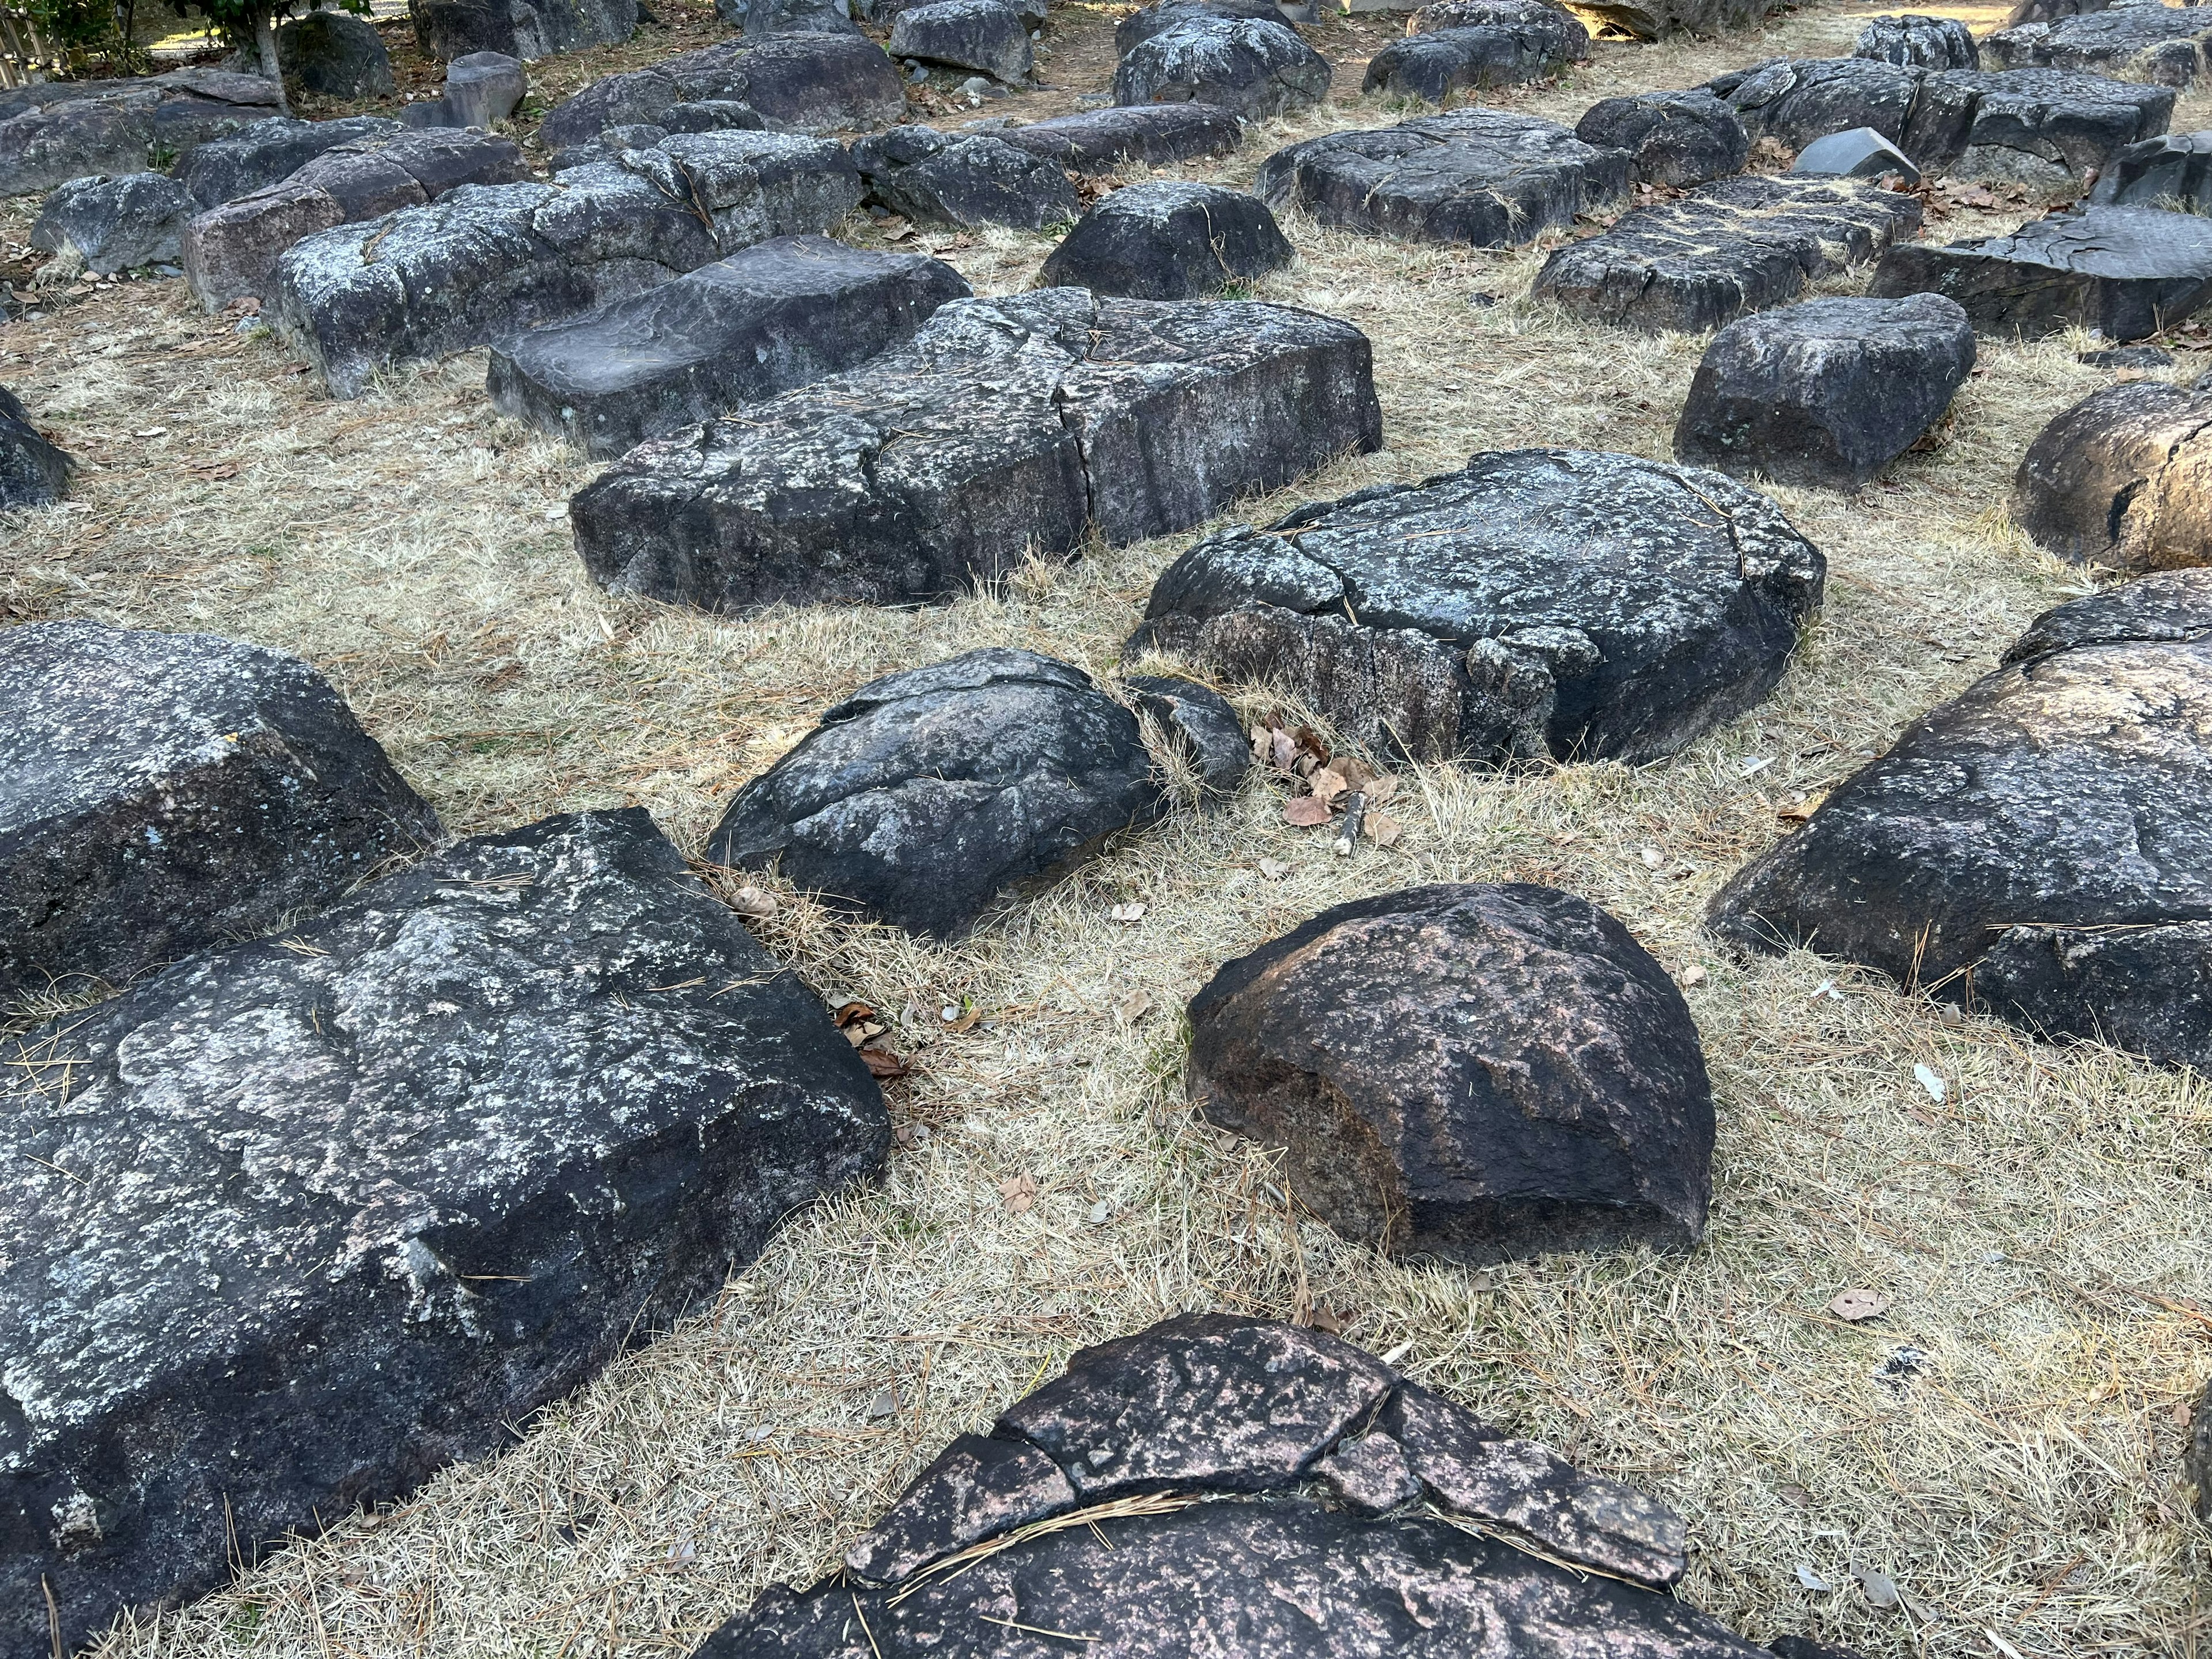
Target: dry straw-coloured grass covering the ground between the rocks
(2041, 1231)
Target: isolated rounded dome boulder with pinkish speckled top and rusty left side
(1465, 1072)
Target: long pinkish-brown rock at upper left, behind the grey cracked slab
(231, 251)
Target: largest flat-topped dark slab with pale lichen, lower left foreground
(499, 1118)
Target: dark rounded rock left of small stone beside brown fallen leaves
(926, 795)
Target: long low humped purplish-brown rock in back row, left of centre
(804, 83)
